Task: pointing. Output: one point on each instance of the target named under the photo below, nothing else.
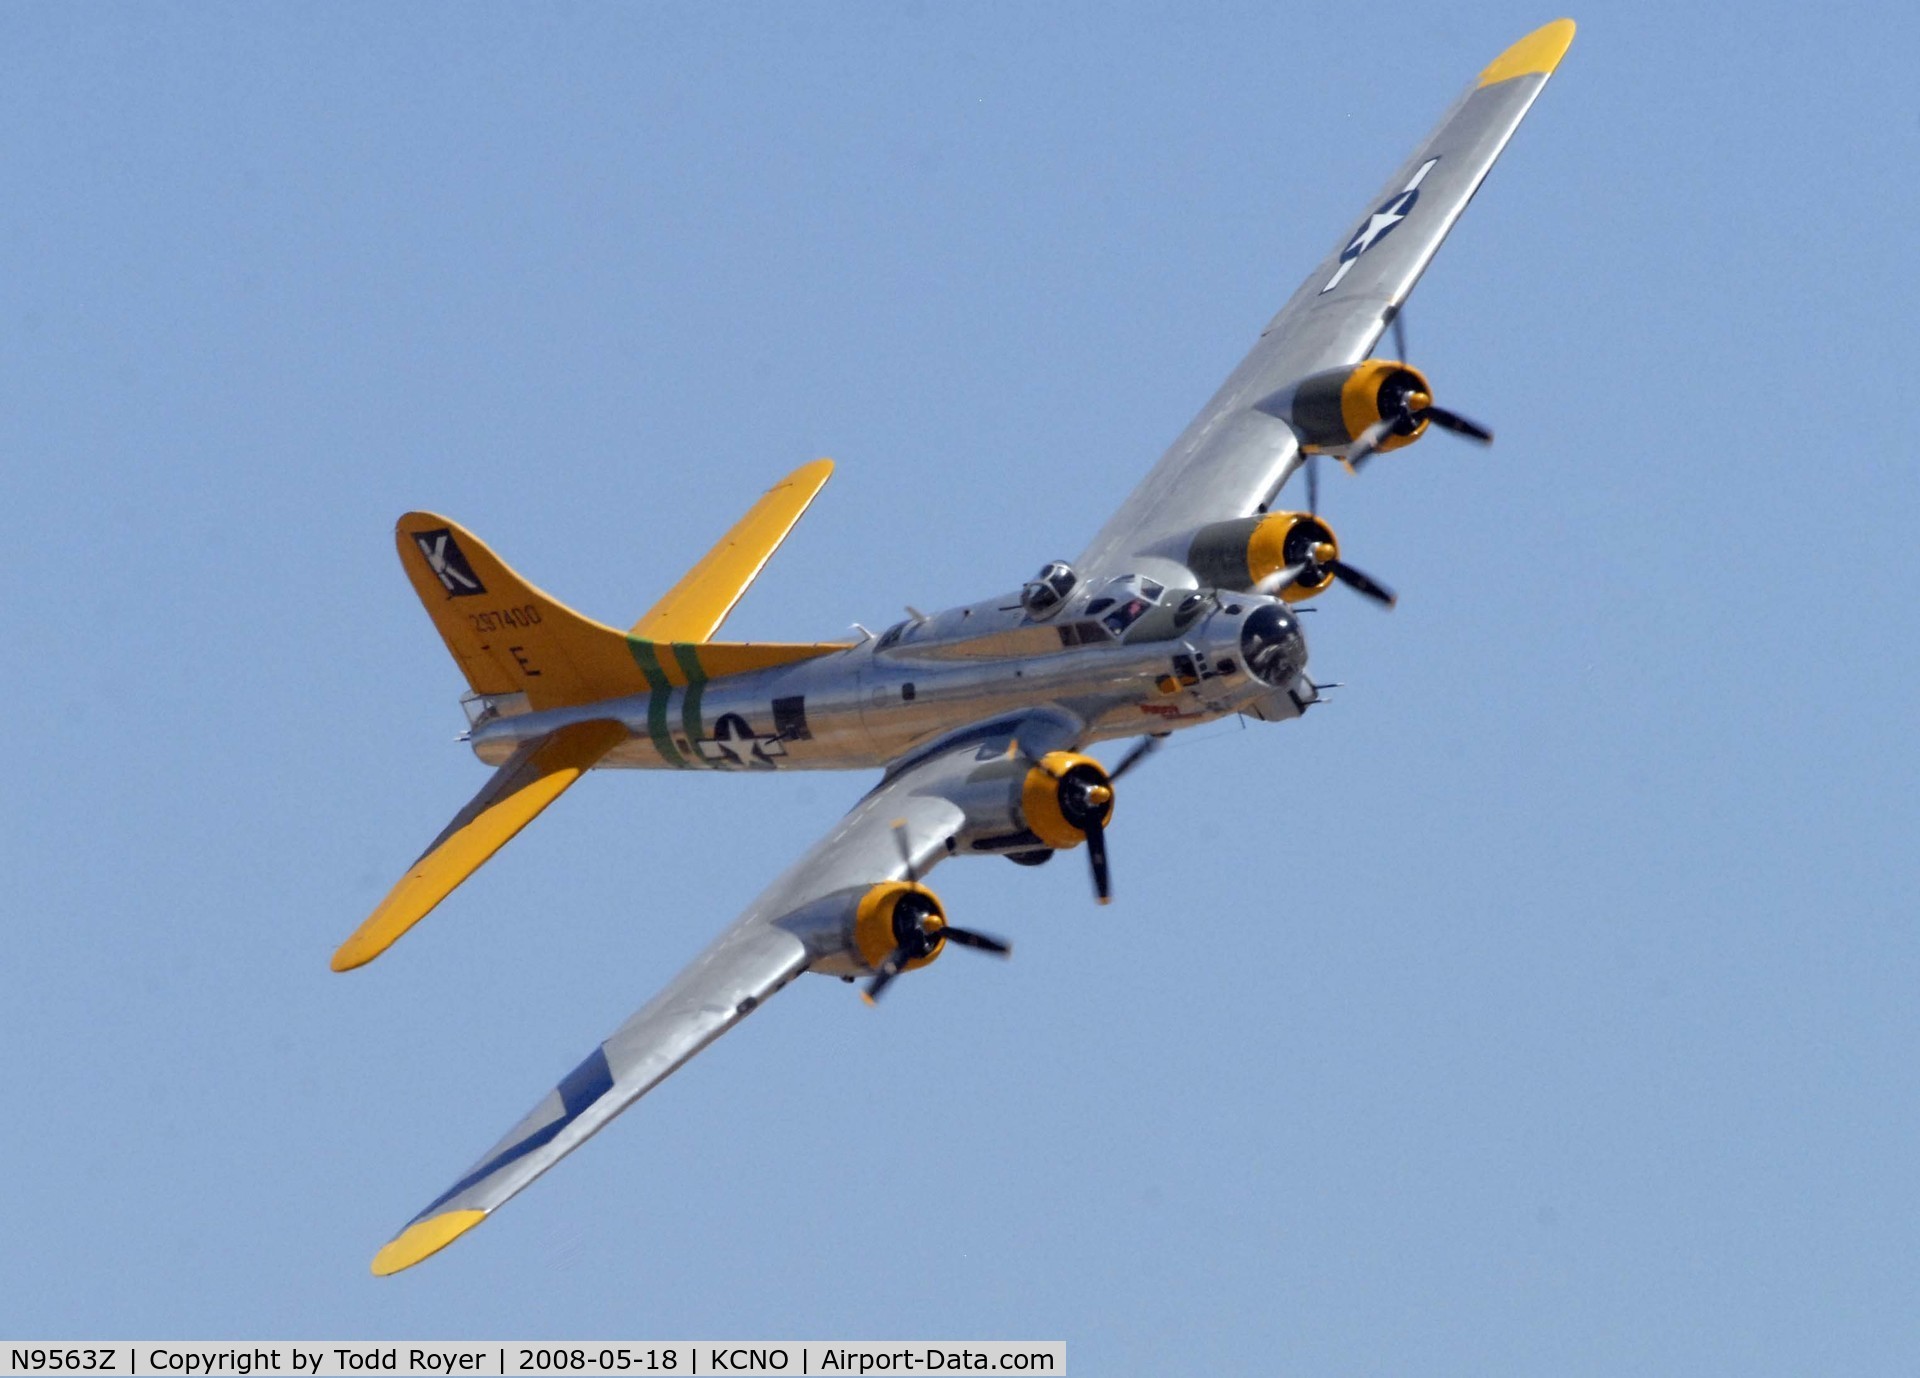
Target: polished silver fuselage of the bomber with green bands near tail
(876, 701)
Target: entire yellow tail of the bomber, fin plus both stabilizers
(512, 638)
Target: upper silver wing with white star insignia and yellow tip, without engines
(1234, 460)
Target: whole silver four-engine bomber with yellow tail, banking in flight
(1180, 613)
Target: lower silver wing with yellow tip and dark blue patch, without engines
(794, 926)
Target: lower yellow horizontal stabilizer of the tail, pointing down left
(531, 780)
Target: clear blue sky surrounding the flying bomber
(1545, 1005)
